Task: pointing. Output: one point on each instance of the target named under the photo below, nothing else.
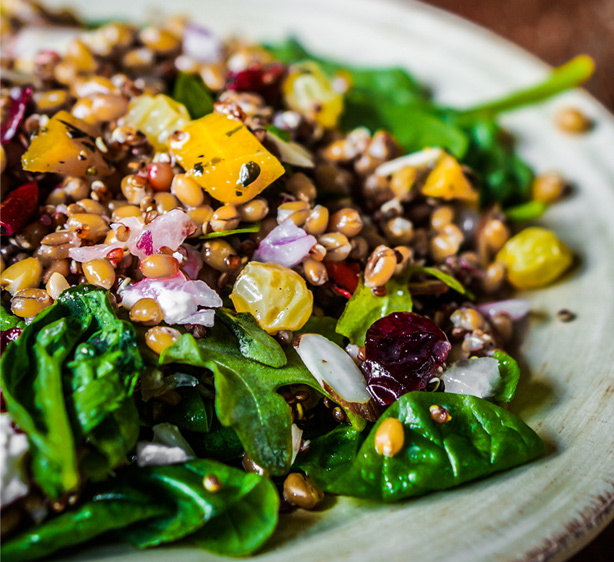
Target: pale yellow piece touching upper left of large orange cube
(158, 117)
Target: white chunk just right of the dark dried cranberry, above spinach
(478, 377)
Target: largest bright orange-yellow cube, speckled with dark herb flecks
(227, 160)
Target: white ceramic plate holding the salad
(550, 508)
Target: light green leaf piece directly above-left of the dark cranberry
(365, 308)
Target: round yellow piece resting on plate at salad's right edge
(534, 258)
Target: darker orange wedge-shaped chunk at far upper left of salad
(66, 145)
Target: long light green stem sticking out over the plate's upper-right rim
(569, 75)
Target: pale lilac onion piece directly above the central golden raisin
(287, 245)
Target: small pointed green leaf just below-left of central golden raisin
(254, 342)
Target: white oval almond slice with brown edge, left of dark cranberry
(335, 371)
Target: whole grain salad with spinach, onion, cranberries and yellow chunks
(239, 277)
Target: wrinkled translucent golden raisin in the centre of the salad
(275, 296)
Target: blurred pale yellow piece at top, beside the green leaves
(308, 91)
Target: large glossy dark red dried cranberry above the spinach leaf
(403, 350)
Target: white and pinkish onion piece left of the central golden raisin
(178, 297)
